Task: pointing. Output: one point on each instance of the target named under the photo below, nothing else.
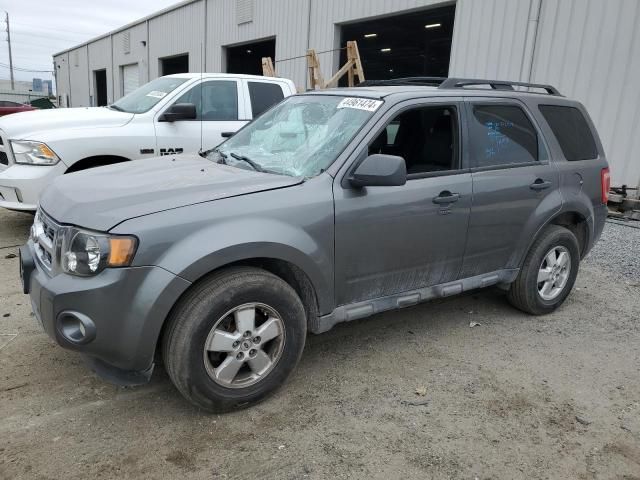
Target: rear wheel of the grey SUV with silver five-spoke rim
(548, 273)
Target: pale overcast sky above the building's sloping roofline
(40, 28)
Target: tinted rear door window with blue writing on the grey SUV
(502, 135)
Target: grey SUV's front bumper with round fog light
(121, 312)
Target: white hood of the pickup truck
(27, 125)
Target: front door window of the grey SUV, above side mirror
(425, 137)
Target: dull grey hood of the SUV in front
(101, 198)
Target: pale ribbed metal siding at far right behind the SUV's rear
(589, 50)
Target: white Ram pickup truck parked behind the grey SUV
(169, 115)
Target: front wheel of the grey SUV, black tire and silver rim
(234, 339)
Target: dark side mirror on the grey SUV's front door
(380, 170)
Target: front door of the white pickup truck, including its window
(220, 107)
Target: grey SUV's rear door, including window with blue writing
(515, 185)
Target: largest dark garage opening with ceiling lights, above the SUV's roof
(407, 45)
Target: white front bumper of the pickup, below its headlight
(21, 185)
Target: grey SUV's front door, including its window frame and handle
(397, 239)
